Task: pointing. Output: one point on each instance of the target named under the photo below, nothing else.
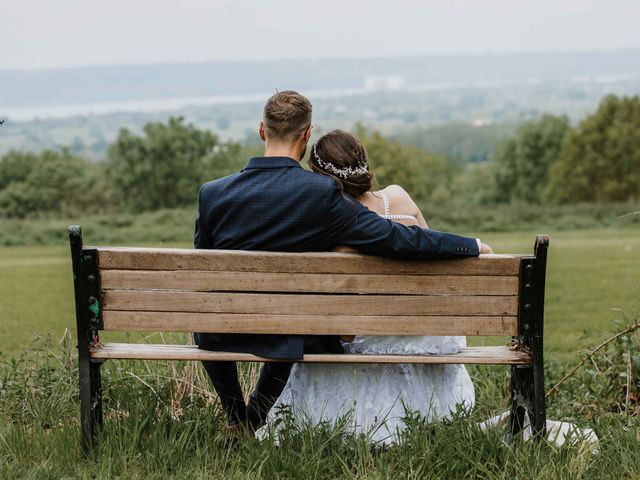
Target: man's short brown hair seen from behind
(287, 115)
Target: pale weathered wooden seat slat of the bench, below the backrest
(471, 355)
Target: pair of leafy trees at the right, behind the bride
(550, 162)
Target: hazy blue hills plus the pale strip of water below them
(171, 87)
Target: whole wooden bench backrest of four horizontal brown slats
(151, 289)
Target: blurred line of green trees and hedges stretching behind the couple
(546, 161)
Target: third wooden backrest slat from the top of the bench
(292, 304)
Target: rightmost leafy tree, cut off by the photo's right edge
(600, 160)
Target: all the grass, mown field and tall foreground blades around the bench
(162, 420)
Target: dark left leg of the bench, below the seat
(90, 402)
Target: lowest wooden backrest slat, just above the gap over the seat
(309, 324)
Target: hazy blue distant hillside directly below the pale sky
(130, 83)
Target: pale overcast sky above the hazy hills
(58, 33)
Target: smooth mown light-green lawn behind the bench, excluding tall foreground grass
(593, 281)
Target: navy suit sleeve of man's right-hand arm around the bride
(356, 226)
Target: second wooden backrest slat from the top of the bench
(306, 282)
